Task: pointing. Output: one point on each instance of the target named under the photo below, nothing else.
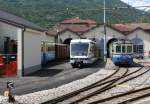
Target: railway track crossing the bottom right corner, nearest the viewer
(126, 98)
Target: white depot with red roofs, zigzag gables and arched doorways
(138, 33)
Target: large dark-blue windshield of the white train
(79, 49)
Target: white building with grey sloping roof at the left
(22, 38)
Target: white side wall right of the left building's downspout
(32, 51)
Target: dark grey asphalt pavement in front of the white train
(49, 77)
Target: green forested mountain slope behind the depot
(49, 12)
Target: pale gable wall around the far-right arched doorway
(144, 36)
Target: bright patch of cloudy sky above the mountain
(136, 3)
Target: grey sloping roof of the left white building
(18, 21)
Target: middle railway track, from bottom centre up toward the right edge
(122, 79)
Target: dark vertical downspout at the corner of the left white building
(23, 30)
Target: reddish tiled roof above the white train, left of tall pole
(75, 25)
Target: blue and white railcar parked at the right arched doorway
(122, 52)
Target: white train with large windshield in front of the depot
(82, 52)
